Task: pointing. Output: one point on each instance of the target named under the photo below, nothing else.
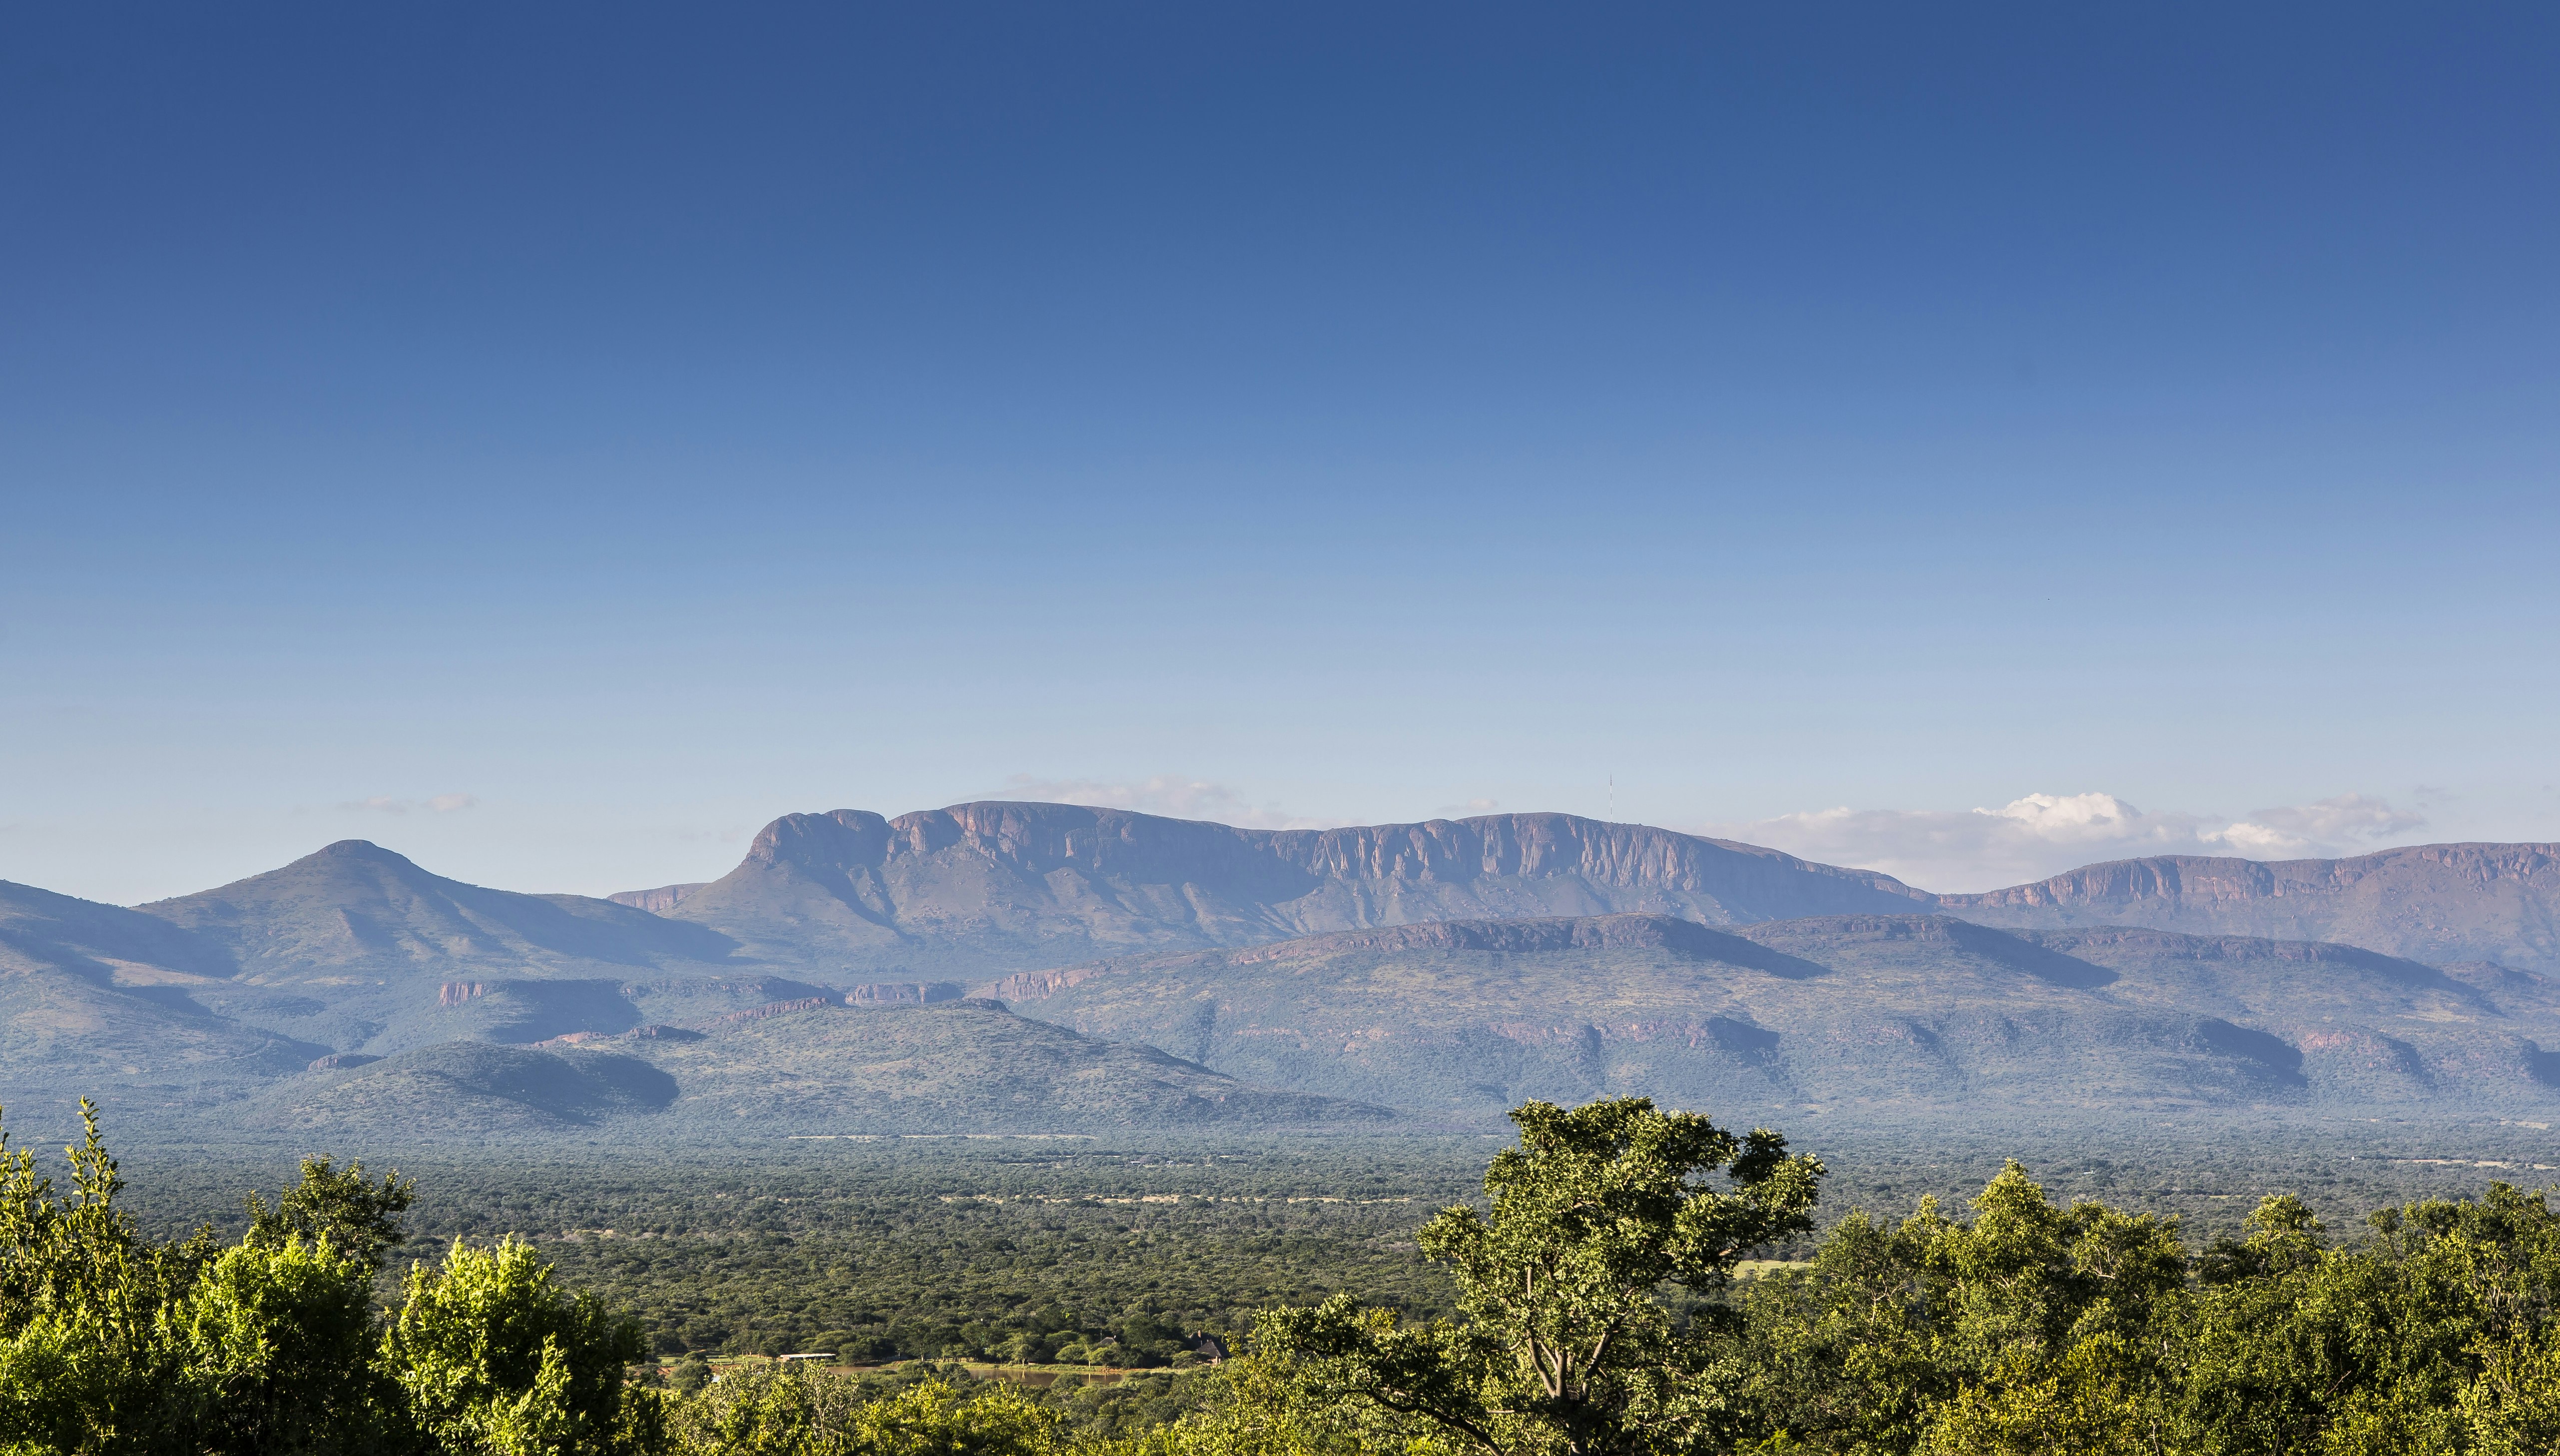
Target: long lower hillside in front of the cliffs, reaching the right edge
(1878, 1017)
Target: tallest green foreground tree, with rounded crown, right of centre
(1568, 1345)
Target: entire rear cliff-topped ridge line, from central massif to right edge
(954, 892)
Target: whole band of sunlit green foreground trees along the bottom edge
(1591, 1309)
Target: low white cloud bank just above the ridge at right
(2052, 833)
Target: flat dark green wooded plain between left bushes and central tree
(941, 1250)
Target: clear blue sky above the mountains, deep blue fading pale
(559, 441)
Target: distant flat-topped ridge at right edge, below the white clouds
(2428, 902)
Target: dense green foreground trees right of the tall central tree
(2090, 1332)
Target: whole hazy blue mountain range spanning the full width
(1061, 969)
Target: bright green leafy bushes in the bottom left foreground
(119, 1345)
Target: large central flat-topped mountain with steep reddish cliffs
(1046, 884)
